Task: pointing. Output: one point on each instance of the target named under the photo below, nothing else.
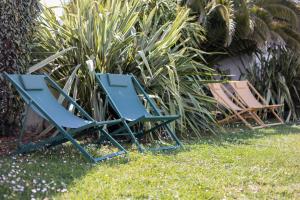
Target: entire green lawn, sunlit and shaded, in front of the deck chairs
(239, 164)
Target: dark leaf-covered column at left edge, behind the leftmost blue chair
(16, 25)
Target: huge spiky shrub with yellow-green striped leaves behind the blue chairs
(139, 37)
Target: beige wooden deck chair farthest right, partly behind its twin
(246, 92)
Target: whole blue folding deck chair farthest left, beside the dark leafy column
(36, 94)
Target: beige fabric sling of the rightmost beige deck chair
(244, 92)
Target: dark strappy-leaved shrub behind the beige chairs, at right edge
(276, 75)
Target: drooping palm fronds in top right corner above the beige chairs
(237, 26)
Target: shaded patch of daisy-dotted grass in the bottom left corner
(53, 169)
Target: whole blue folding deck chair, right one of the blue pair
(121, 92)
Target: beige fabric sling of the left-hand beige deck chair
(221, 97)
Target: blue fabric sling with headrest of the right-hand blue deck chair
(122, 94)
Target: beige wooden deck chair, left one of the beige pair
(225, 98)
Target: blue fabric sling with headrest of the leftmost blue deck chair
(36, 88)
